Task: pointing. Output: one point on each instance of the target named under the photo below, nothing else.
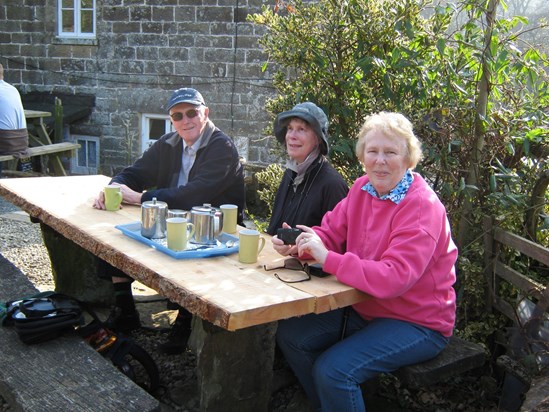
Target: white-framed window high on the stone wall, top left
(76, 18)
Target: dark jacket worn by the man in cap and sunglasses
(216, 177)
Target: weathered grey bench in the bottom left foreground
(64, 374)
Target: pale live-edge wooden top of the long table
(220, 289)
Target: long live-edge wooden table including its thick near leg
(236, 305)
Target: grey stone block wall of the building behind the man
(143, 50)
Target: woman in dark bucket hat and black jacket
(310, 186)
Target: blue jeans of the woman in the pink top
(331, 370)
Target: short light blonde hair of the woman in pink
(395, 126)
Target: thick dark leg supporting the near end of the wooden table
(234, 369)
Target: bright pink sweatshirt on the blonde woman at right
(401, 255)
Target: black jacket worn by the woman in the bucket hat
(321, 189)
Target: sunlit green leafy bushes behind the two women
(356, 57)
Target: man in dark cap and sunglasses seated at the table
(196, 164)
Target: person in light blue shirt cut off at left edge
(14, 138)
